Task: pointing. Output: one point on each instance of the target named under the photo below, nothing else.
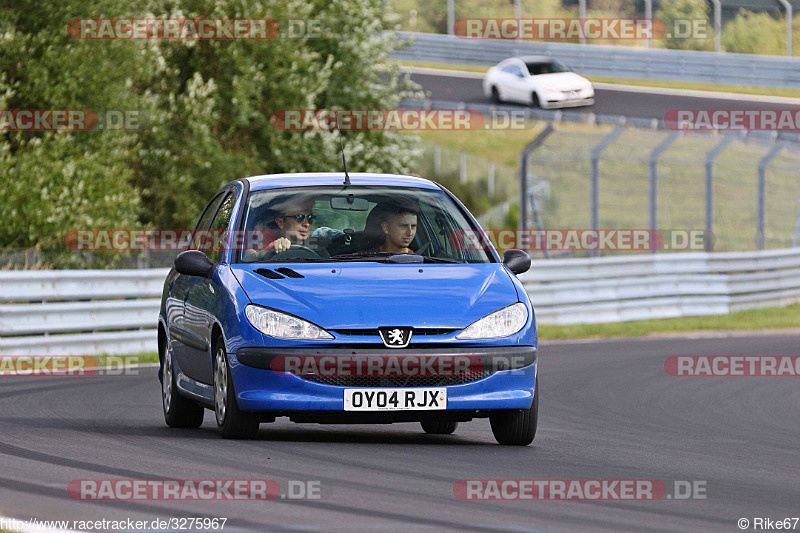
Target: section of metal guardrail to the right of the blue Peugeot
(620, 288)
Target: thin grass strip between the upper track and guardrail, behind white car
(666, 84)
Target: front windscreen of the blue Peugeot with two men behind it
(360, 223)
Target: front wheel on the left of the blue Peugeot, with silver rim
(231, 422)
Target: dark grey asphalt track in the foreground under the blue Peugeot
(608, 410)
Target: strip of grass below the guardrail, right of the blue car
(766, 318)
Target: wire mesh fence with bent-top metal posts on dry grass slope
(742, 191)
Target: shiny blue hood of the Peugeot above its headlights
(371, 295)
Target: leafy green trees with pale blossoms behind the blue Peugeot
(204, 109)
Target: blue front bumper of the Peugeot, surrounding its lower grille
(510, 384)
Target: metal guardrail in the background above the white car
(618, 61)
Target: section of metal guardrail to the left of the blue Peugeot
(63, 312)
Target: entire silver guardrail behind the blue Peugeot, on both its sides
(89, 312)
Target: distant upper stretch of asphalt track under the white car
(639, 102)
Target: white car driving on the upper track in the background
(539, 81)
